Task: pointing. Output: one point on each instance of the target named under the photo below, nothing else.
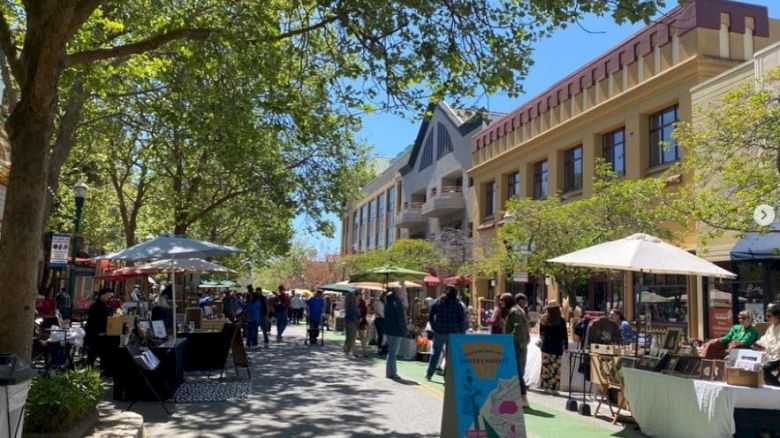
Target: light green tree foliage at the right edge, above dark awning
(733, 154)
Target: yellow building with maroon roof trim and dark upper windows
(620, 106)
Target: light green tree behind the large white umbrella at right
(543, 229)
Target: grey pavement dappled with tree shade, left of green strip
(297, 391)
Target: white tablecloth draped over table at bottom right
(668, 406)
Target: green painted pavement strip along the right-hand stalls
(541, 421)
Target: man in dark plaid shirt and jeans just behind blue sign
(446, 317)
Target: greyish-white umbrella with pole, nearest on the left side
(172, 248)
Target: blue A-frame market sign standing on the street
(482, 396)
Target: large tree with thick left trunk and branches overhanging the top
(401, 48)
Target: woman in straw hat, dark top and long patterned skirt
(555, 340)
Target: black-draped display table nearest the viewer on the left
(128, 385)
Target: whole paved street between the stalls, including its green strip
(303, 391)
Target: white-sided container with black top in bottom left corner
(15, 379)
